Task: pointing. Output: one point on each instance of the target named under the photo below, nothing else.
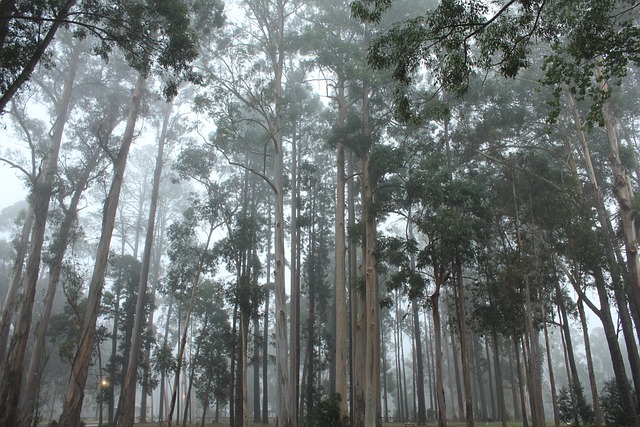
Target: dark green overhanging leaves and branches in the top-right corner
(460, 38)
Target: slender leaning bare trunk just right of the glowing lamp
(128, 395)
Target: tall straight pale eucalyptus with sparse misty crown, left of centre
(253, 79)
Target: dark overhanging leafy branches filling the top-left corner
(154, 35)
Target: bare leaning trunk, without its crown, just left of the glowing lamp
(75, 393)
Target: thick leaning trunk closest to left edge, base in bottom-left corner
(39, 199)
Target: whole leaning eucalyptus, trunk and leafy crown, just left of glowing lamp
(171, 53)
